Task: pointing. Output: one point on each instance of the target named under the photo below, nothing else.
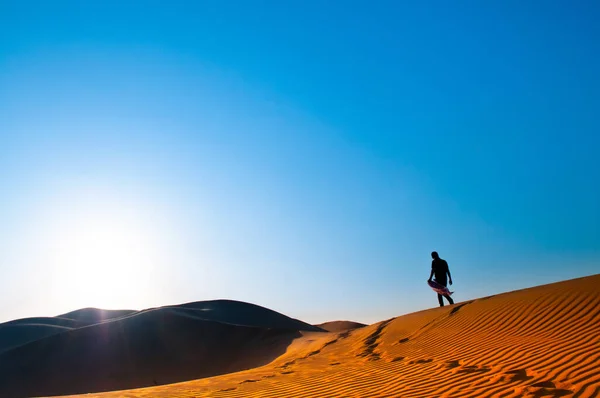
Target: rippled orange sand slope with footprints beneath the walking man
(538, 342)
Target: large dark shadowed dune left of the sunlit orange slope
(151, 347)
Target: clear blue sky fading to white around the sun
(306, 156)
